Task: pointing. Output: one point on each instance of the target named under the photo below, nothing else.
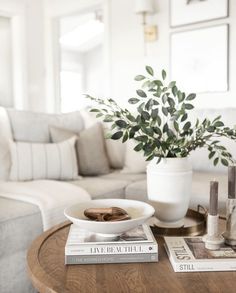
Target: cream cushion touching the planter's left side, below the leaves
(135, 162)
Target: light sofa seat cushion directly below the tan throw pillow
(98, 187)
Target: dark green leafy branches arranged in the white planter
(160, 123)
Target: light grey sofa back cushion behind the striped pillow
(34, 127)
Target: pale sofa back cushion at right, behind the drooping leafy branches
(199, 157)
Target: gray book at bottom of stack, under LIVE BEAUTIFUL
(116, 258)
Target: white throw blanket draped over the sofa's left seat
(51, 197)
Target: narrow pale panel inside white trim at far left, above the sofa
(6, 86)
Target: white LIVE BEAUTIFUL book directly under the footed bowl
(137, 241)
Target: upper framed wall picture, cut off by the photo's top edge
(185, 12)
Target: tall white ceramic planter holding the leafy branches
(169, 189)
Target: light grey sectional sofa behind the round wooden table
(15, 232)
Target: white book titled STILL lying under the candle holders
(188, 254)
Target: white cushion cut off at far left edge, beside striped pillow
(5, 135)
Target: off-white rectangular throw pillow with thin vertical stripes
(32, 161)
